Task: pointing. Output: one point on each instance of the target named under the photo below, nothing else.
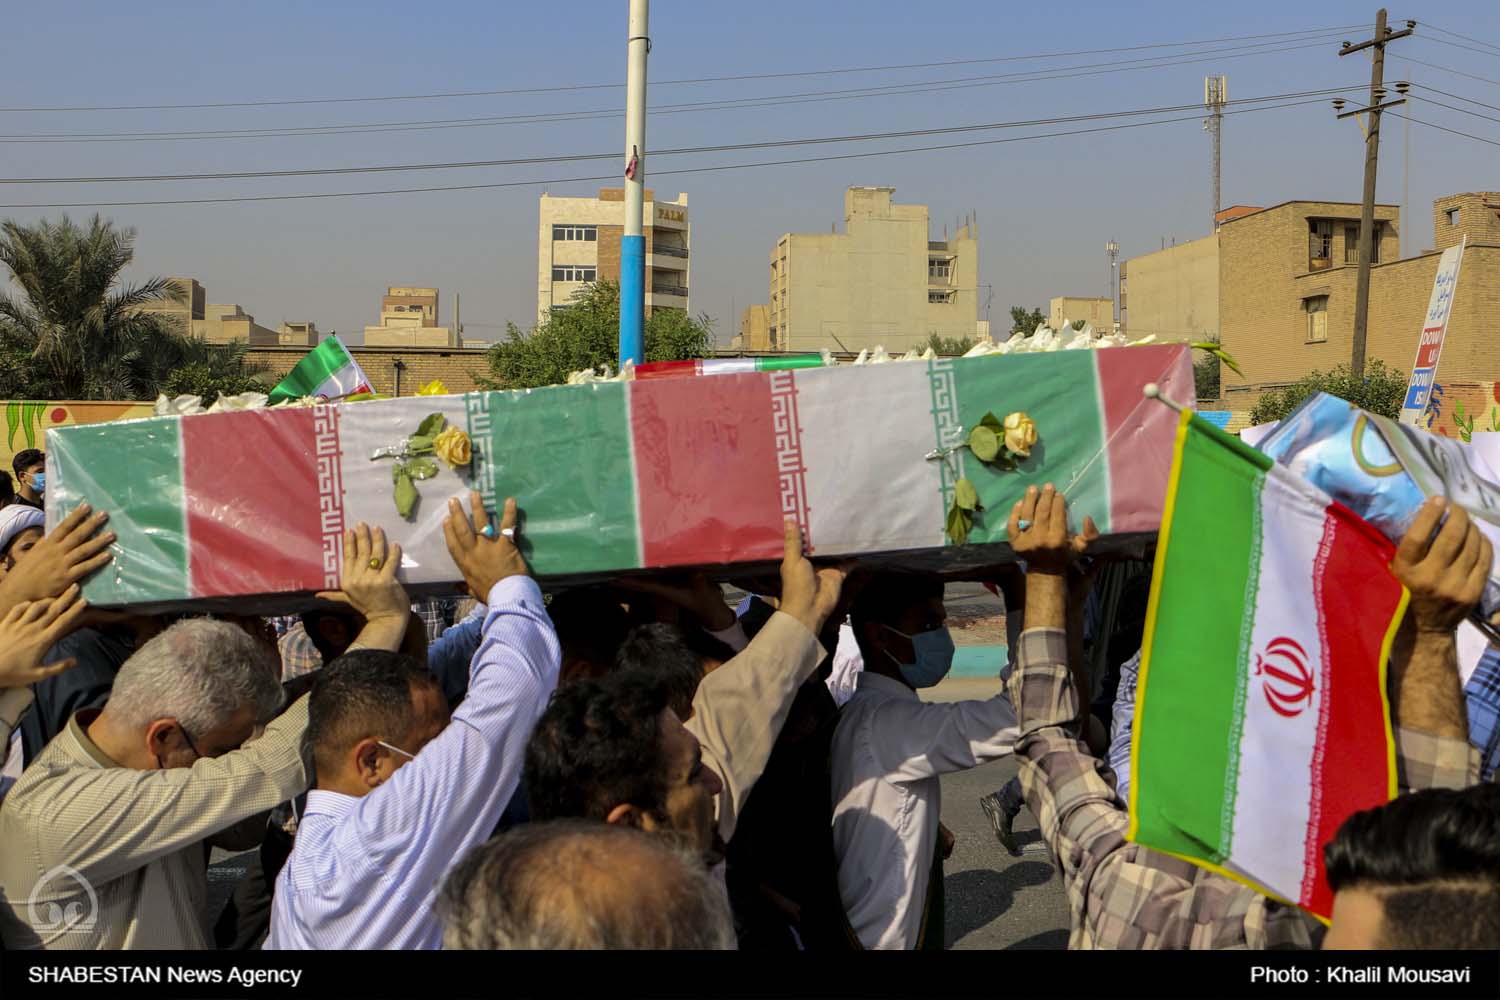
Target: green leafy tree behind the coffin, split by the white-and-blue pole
(586, 335)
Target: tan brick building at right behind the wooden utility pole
(1286, 292)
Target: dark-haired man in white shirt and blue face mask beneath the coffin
(889, 755)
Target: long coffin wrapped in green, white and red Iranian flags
(620, 478)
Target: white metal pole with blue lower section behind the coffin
(634, 241)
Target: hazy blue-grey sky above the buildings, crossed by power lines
(1046, 208)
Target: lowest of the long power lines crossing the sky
(661, 173)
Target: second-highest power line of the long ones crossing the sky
(964, 83)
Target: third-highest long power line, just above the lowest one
(736, 148)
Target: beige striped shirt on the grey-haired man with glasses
(106, 857)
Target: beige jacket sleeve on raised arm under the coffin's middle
(740, 708)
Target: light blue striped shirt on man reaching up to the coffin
(365, 870)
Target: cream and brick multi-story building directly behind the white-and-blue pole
(578, 244)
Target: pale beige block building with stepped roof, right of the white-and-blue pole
(880, 283)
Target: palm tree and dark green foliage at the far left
(77, 332)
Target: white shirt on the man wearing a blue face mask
(889, 753)
